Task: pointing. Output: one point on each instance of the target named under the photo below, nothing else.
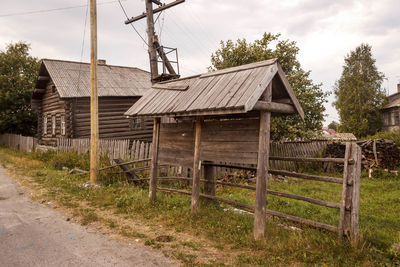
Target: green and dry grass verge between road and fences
(225, 232)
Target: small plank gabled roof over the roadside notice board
(228, 91)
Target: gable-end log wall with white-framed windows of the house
(50, 105)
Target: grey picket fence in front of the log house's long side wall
(112, 148)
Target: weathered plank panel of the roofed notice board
(234, 141)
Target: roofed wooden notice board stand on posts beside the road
(221, 116)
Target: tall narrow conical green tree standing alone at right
(359, 94)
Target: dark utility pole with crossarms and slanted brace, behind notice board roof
(153, 44)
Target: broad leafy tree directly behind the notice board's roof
(310, 95)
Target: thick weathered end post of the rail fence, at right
(350, 204)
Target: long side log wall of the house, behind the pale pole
(112, 122)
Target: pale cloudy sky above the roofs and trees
(325, 31)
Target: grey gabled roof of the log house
(112, 80)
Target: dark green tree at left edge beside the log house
(18, 71)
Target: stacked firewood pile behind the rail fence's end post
(377, 153)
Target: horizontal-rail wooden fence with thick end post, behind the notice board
(350, 184)
